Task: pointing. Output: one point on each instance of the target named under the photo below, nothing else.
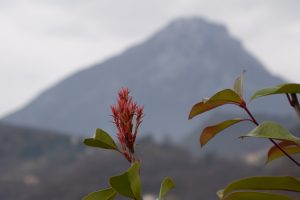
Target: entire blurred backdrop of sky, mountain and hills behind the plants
(63, 62)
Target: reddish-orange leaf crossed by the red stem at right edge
(288, 146)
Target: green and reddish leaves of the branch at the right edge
(285, 143)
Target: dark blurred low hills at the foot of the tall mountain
(38, 164)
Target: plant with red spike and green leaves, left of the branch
(127, 117)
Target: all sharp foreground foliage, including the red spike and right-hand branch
(127, 117)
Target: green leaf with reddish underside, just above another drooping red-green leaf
(227, 96)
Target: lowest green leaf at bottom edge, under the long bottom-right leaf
(255, 196)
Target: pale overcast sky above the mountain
(41, 41)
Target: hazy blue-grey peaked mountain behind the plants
(186, 60)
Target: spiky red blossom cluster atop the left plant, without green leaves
(124, 113)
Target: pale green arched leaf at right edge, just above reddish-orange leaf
(272, 130)
